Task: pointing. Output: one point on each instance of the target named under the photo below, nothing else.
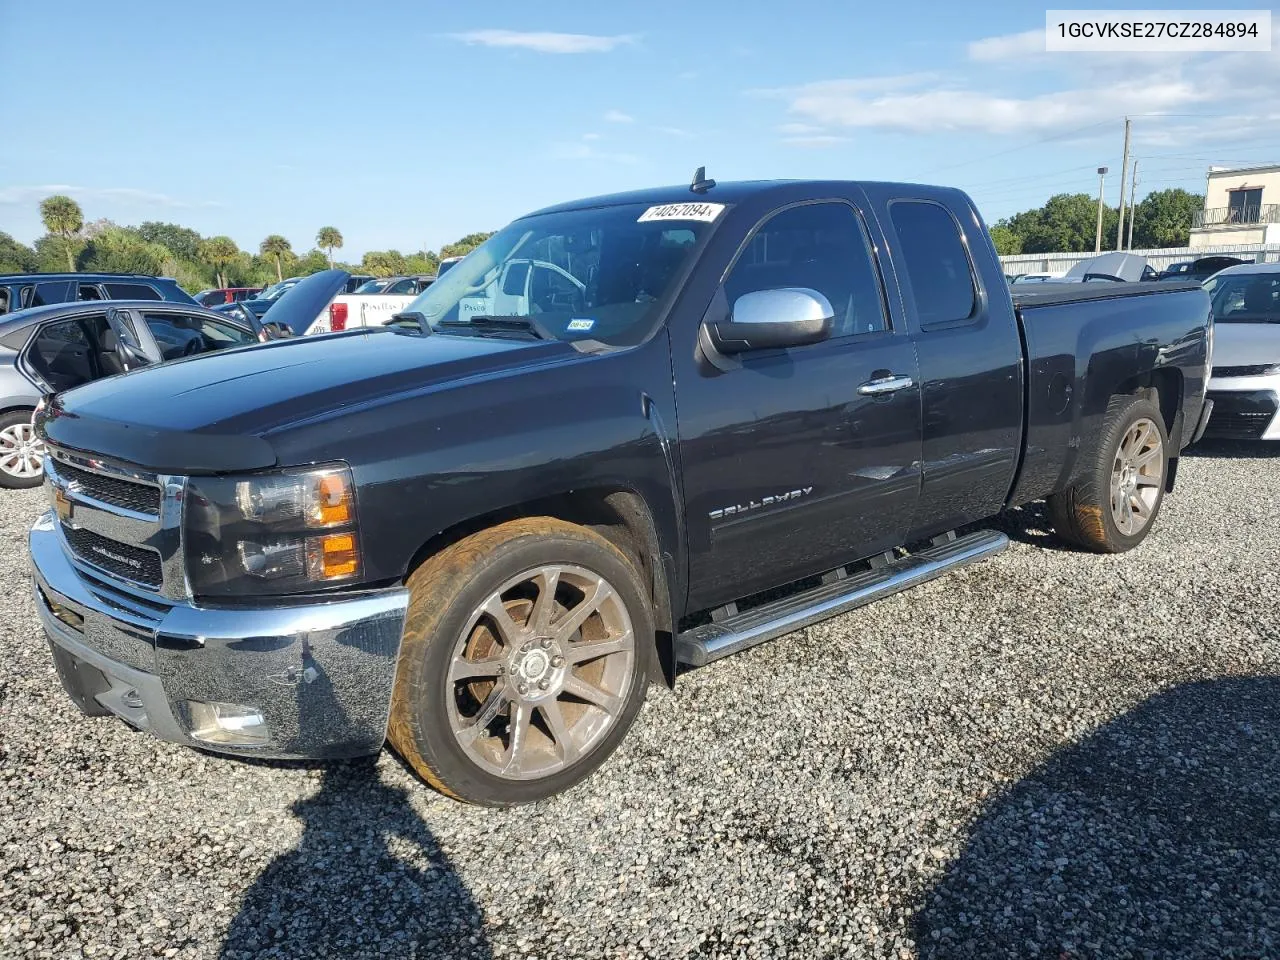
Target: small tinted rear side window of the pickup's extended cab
(938, 266)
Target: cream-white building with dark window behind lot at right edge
(1241, 207)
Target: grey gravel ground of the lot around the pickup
(1050, 755)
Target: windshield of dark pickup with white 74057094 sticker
(598, 275)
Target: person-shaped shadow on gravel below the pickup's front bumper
(345, 894)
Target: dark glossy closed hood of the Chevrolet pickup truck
(213, 414)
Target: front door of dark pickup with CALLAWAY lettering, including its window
(789, 469)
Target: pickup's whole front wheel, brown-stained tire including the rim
(501, 698)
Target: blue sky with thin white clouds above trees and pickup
(414, 124)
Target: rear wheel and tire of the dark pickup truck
(1114, 506)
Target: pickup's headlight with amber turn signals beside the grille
(272, 533)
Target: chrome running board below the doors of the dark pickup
(839, 593)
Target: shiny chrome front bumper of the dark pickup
(319, 676)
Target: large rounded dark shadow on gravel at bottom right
(1156, 838)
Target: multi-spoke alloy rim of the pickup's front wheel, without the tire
(541, 673)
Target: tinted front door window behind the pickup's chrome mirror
(820, 246)
